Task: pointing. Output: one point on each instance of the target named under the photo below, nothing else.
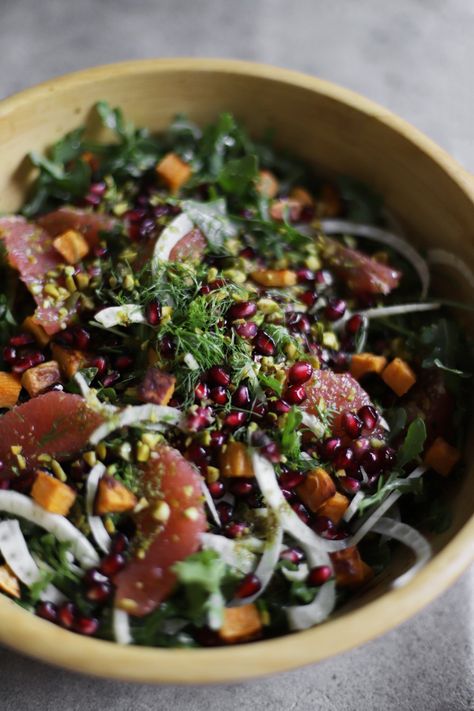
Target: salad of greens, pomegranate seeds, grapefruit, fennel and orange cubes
(227, 393)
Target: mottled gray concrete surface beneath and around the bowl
(414, 56)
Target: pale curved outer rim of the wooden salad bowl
(28, 634)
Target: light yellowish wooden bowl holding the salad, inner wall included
(337, 131)
